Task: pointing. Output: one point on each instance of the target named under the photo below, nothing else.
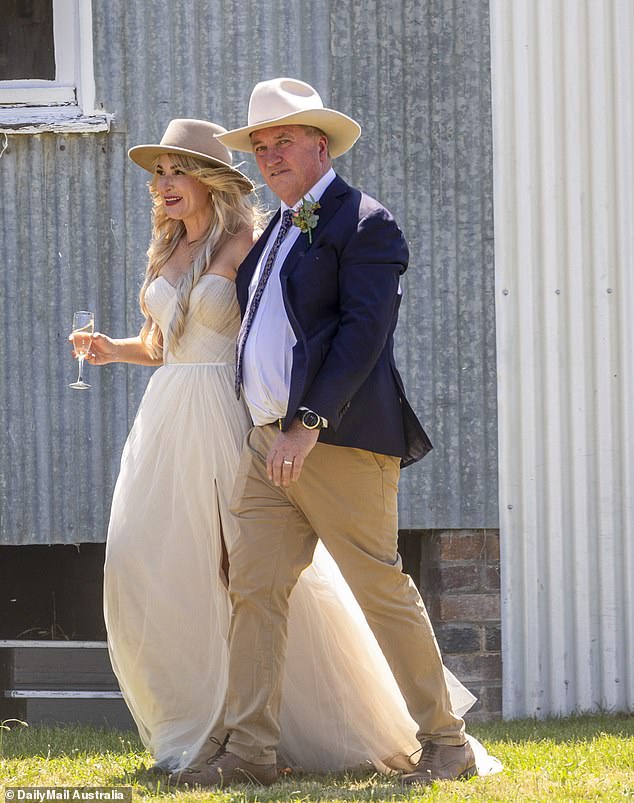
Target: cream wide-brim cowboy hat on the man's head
(286, 101)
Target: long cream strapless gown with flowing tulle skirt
(166, 603)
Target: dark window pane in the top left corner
(26, 40)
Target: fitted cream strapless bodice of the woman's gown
(212, 322)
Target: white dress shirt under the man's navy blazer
(268, 352)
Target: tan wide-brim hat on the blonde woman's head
(190, 137)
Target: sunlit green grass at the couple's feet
(580, 758)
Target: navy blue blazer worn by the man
(341, 297)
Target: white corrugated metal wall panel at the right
(563, 103)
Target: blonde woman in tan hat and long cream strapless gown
(166, 602)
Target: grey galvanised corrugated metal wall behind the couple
(75, 224)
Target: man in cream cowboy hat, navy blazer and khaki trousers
(331, 428)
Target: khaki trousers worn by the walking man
(348, 499)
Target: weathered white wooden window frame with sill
(68, 102)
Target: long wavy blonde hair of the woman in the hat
(232, 210)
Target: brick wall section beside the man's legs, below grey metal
(459, 579)
